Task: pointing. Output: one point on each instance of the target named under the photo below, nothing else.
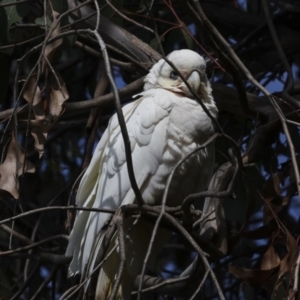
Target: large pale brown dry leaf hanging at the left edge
(12, 167)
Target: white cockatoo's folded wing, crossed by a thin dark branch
(106, 183)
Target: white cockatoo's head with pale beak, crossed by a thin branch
(191, 66)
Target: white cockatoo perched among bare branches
(164, 124)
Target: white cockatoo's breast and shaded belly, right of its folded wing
(188, 127)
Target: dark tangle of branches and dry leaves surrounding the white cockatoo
(56, 101)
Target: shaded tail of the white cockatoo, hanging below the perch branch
(136, 246)
